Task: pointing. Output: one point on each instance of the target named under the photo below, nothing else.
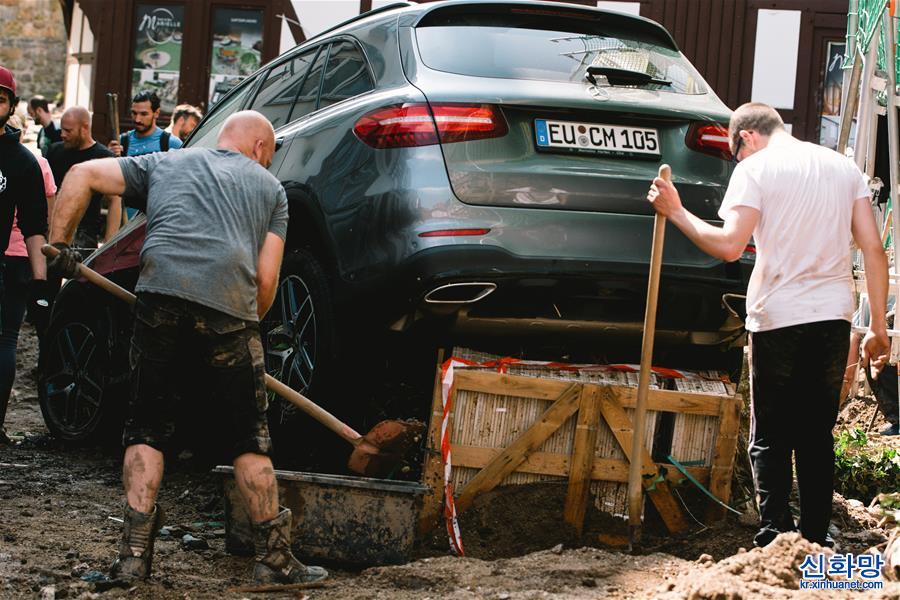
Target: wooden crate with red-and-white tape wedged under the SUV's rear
(538, 423)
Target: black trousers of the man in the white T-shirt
(795, 383)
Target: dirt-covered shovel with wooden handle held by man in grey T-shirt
(375, 454)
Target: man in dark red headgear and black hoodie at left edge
(22, 193)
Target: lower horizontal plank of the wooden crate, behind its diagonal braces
(546, 463)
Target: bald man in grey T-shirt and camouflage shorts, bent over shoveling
(216, 223)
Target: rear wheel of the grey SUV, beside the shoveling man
(299, 331)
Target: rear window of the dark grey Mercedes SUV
(548, 47)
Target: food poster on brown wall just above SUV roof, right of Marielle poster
(236, 48)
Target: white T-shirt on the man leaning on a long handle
(805, 195)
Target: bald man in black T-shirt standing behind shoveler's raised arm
(78, 146)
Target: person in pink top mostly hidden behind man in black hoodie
(16, 281)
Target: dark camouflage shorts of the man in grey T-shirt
(172, 335)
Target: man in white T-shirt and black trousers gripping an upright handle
(803, 205)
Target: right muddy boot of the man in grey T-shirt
(275, 563)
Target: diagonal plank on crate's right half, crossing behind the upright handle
(660, 495)
